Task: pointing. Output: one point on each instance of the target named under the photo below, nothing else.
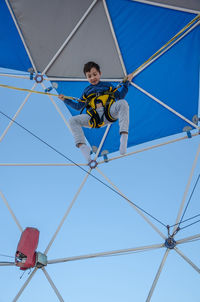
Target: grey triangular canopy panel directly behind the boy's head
(93, 41)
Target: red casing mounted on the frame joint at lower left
(25, 256)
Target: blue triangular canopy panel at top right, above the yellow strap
(142, 29)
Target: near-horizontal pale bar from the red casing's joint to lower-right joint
(108, 253)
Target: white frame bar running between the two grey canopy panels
(70, 36)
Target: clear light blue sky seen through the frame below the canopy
(100, 220)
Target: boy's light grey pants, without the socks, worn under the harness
(119, 110)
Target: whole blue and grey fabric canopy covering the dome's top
(121, 38)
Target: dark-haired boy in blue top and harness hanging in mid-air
(101, 108)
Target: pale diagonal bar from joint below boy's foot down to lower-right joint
(136, 209)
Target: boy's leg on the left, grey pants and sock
(76, 123)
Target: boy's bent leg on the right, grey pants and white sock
(120, 110)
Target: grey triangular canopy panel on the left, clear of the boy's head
(45, 25)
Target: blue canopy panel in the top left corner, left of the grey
(12, 53)
